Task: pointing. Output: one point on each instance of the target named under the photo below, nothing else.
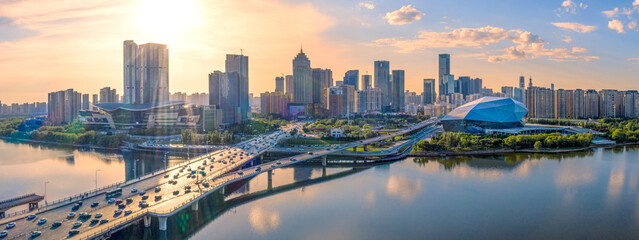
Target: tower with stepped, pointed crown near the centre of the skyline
(302, 79)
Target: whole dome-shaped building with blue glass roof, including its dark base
(486, 113)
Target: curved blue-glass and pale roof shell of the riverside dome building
(489, 109)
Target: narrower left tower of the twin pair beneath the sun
(132, 83)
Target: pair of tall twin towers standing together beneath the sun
(146, 73)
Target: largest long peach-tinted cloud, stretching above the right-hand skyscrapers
(527, 45)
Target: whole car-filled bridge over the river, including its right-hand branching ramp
(220, 168)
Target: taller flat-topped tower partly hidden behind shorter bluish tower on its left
(239, 64)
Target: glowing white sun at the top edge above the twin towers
(166, 21)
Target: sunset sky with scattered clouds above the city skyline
(52, 45)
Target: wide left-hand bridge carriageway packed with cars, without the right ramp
(225, 160)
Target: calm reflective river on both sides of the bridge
(592, 194)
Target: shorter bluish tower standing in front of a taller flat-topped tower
(224, 93)
